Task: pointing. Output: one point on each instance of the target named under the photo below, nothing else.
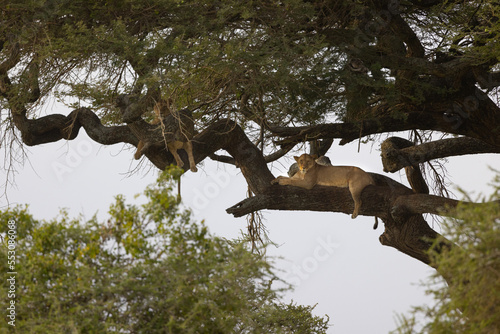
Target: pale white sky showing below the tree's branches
(334, 261)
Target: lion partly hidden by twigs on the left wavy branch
(183, 134)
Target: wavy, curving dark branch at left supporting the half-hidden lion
(224, 134)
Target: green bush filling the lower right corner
(470, 302)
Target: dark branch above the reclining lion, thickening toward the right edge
(474, 115)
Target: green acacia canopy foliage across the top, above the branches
(286, 60)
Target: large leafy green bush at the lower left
(147, 269)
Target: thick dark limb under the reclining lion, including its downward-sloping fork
(398, 207)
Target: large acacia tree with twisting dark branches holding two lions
(262, 77)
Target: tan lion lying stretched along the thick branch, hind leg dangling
(311, 174)
